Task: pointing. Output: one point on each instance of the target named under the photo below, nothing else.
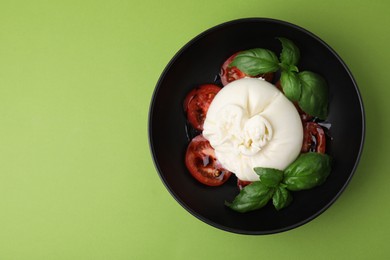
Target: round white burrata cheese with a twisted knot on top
(250, 123)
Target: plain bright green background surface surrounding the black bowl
(76, 176)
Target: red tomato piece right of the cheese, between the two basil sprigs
(313, 138)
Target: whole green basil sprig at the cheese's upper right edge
(306, 88)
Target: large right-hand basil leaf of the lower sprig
(307, 171)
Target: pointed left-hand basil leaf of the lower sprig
(254, 196)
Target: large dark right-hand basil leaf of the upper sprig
(314, 96)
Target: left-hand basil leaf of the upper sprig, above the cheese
(256, 61)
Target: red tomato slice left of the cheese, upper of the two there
(197, 103)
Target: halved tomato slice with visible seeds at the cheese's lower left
(203, 165)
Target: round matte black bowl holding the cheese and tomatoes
(199, 62)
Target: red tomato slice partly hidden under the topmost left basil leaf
(231, 74)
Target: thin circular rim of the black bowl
(167, 69)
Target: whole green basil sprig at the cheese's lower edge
(306, 172)
